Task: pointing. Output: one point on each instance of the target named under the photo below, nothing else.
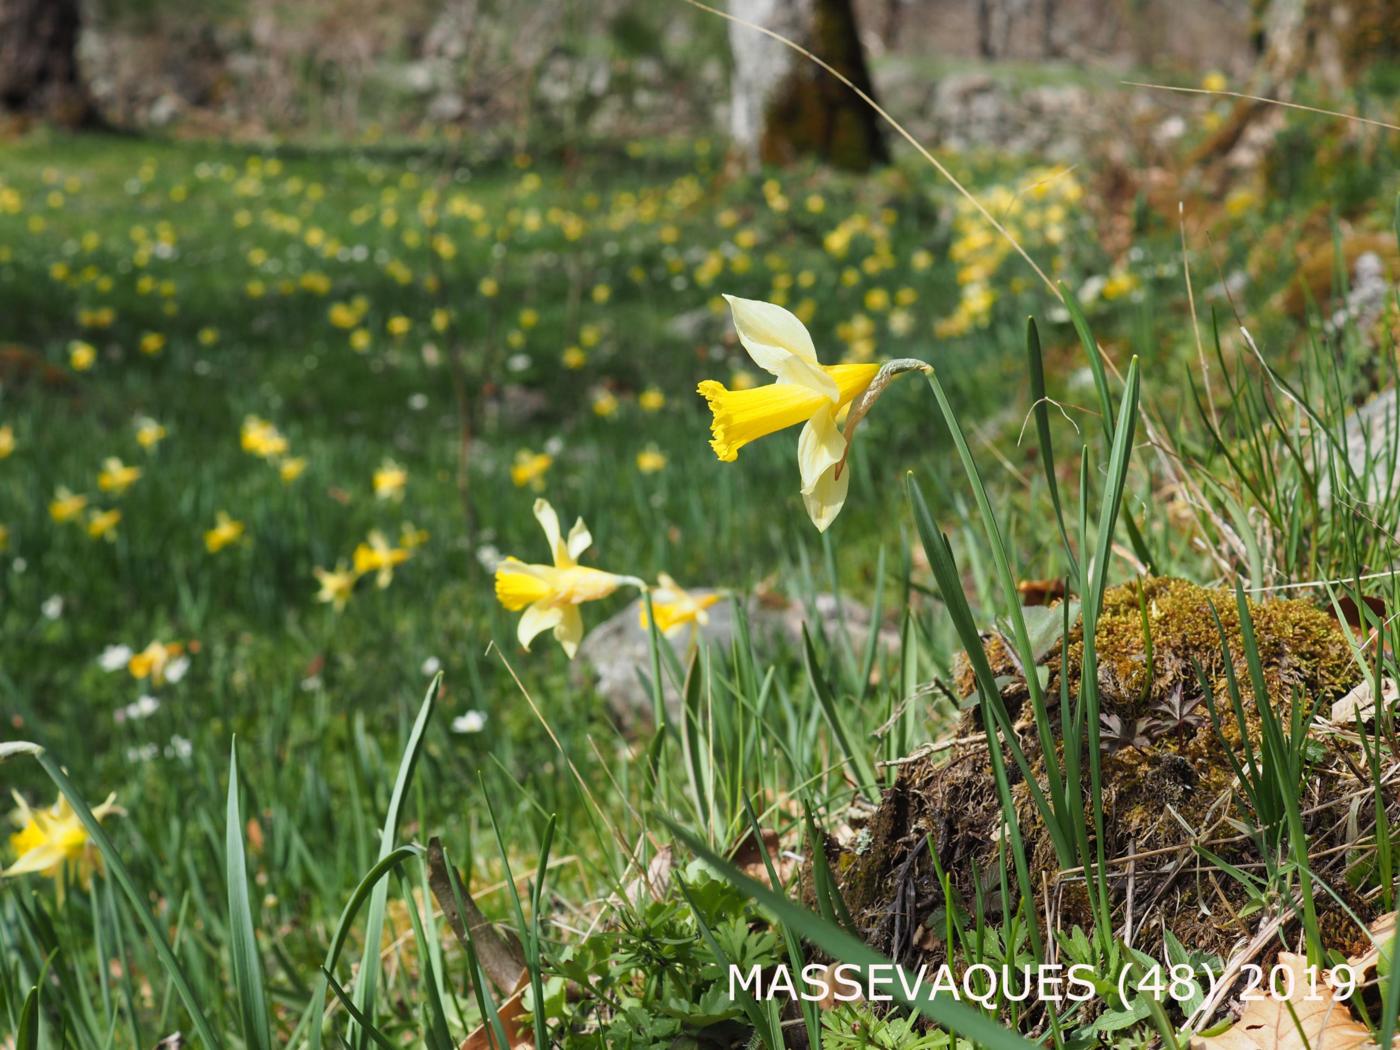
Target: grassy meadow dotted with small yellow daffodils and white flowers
(271, 418)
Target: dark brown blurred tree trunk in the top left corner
(40, 73)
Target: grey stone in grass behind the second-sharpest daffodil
(615, 657)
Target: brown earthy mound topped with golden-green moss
(1167, 780)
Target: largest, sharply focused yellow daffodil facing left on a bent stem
(806, 393)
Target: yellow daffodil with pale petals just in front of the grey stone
(551, 596)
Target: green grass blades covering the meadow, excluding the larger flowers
(240, 885)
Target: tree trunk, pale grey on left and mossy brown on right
(785, 107)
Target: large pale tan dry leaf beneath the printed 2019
(1314, 1024)
